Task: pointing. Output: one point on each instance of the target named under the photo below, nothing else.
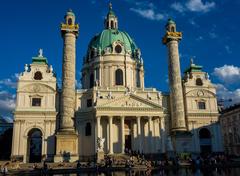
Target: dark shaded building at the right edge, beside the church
(229, 120)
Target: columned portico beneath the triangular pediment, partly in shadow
(135, 133)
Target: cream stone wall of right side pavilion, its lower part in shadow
(202, 118)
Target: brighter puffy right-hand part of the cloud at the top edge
(199, 6)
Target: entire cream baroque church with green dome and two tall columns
(113, 112)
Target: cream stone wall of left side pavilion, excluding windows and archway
(27, 117)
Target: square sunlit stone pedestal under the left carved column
(66, 147)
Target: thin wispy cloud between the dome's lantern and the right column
(148, 14)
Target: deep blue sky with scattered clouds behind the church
(210, 35)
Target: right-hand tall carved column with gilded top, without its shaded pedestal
(171, 40)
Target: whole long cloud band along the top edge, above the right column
(193, 6)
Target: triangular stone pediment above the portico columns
(131, 101)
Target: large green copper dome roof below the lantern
(108, 36)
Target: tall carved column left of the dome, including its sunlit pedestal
(67, 139)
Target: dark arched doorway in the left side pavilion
(35, 145)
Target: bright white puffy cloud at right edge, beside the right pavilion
(228, 74)
